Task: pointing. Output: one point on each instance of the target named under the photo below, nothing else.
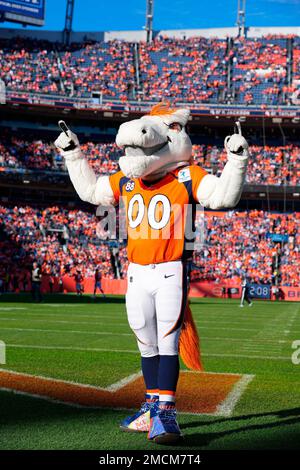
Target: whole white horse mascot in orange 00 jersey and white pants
(160, 187)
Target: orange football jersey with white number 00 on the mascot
(157, 214)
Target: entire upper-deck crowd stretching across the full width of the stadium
(192, 70)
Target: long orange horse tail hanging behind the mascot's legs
(189, 344)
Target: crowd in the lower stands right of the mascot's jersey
(238, 244)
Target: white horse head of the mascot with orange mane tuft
(155, 144)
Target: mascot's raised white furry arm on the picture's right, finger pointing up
(225, 191)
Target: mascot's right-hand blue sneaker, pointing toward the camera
(164, 428)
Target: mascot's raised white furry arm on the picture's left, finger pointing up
(88, 187)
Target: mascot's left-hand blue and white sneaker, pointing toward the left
(140, 421)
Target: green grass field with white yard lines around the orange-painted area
(90, 343)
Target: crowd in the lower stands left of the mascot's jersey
(60, 240)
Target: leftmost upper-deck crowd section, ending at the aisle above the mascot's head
(44, 67)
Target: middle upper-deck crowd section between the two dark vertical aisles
(191, 70)
